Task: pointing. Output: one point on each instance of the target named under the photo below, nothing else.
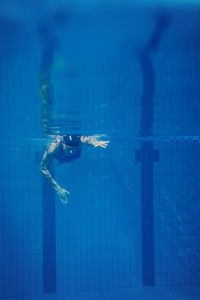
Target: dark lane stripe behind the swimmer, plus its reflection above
(48, 42)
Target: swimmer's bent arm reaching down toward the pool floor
(45, 164)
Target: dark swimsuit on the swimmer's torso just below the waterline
(74, 152)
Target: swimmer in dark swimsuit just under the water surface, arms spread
(66, 149)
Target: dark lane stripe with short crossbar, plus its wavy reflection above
(147, 155)
